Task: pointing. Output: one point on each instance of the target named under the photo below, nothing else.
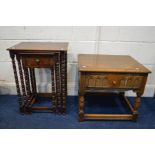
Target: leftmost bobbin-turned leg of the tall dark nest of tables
(17, 82)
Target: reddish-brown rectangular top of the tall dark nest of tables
(39, 46)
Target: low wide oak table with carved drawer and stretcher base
(109, 73)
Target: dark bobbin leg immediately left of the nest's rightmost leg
(58, 89)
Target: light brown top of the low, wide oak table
(110, 63)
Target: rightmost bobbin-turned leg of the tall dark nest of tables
(63, 82)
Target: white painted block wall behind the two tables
(138, 42)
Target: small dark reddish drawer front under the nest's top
(38, 61)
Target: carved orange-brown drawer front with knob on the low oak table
(121, 81)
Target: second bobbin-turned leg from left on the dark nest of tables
(22, 82)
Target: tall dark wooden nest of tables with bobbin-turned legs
(31, 55)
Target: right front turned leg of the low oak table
(136, 105)
